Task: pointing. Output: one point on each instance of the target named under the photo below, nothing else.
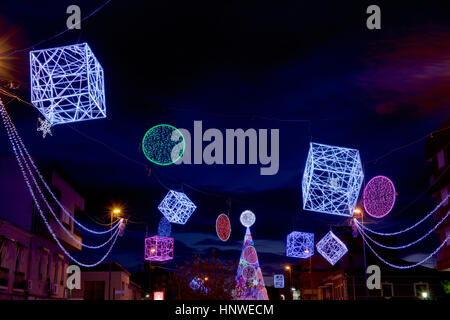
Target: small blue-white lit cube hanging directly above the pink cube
(176, 207)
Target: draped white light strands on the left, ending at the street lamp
(12, 136)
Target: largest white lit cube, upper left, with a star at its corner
(67, 84)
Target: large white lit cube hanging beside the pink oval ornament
(332, 179)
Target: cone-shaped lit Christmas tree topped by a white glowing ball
(249, 278)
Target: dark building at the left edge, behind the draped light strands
(32, 266)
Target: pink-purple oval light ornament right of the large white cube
(379, 196)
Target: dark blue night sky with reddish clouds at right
(312, 70)
